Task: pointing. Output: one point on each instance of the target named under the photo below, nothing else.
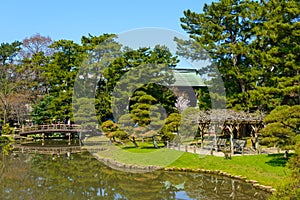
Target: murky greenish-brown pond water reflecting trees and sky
(81, 176)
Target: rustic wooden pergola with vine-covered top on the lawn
(235, 124)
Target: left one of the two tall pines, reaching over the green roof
(224, 31)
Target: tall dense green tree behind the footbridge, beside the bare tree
(60, 74)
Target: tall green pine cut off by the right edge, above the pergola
(276, 54)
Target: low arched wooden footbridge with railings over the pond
(52, 128)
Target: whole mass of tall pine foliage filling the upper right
(254, 45)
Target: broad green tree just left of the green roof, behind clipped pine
(142, 69)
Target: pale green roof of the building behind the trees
(187, 78)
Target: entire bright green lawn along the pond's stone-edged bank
(266, 169)
